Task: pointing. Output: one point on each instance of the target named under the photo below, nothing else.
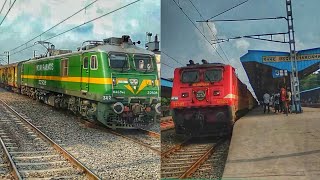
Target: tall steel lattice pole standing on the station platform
(296, 106)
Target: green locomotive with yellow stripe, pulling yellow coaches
(112, 81)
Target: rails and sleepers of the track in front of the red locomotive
(182, 160)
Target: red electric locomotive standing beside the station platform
(206, 96)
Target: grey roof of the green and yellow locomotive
(124, 48)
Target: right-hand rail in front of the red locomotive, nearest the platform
(201, 160)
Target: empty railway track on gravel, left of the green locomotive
(33, 155)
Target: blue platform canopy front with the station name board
(308, 60)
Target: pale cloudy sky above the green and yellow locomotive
(29, 18)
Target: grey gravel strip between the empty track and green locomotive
(107, 155)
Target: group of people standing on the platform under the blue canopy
(281, 101)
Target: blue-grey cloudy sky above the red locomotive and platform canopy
(182, 41)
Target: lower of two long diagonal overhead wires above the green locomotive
(81, 25)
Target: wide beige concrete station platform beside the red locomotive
(275, 146)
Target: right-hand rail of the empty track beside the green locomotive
(57, 147)
